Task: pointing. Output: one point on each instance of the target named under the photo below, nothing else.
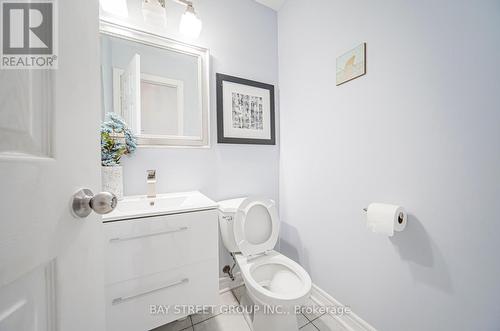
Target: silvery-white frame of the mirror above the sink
(203, 55)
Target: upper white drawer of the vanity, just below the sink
(139, 247)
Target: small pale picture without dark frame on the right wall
(352, 64)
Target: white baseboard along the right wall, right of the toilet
(350, 322)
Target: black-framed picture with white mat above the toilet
(245, 111)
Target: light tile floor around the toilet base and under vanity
(236, 322)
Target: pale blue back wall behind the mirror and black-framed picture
(242, 38)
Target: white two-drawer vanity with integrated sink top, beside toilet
(161, 255)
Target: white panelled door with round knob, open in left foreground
(51, 267)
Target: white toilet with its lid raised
(275, 283)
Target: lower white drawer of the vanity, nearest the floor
(129, 303)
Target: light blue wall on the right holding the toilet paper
(421, 129)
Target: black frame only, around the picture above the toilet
(221, 139)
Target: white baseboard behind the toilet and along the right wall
(350, 322)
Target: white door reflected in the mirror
(131, 93)
